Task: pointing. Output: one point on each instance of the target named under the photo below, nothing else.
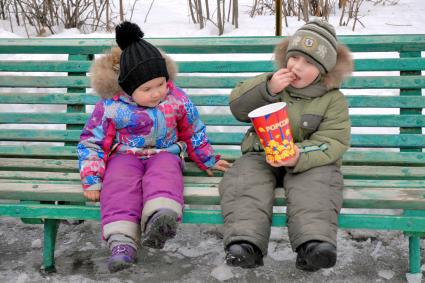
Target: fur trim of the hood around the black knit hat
(105, 71)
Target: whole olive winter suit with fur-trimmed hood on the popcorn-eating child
(320, 127)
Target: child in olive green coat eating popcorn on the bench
(312, 65)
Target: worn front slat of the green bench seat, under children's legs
(390, 198)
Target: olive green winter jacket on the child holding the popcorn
(320, 125)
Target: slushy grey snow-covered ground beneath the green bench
(195, 255)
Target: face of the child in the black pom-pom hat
(151, 93)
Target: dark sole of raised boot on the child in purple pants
(162, 229)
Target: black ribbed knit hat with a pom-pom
(140, 61)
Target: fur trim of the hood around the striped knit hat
(333, 79)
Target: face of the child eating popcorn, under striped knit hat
(304, 71)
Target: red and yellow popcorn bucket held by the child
(272, 126)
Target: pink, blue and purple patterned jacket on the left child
(119, 123)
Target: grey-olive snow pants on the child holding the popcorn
(314, 200)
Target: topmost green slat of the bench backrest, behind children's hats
(202, 45)
